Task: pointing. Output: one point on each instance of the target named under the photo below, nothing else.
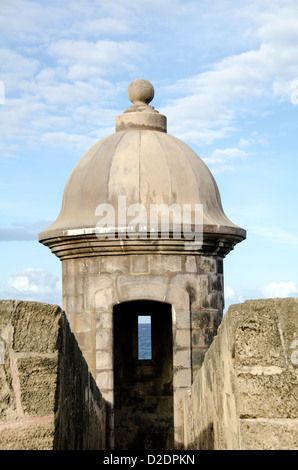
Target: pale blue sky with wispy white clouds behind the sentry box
(226, 75)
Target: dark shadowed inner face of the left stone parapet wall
(81, 412)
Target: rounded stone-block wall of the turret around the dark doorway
(191, 284)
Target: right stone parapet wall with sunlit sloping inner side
(245, 396)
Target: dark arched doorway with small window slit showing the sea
(143, 386)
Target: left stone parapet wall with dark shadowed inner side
(48, 398)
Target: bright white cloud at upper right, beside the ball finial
(217, 98)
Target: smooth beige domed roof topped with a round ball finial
(144, 165)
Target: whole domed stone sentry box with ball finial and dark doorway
(102, 270)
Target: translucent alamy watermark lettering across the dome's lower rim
(162, 221)
